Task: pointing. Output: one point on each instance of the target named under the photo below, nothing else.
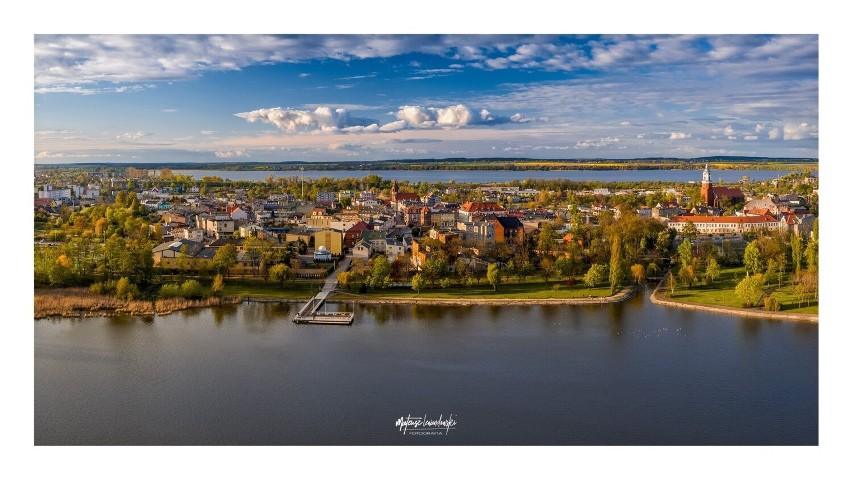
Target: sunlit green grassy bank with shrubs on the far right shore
(721, 293)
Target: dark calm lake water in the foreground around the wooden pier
(630, 373)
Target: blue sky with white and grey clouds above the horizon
(211, 98)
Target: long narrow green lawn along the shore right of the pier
(530, 290)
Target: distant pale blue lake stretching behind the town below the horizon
(471, 176)
